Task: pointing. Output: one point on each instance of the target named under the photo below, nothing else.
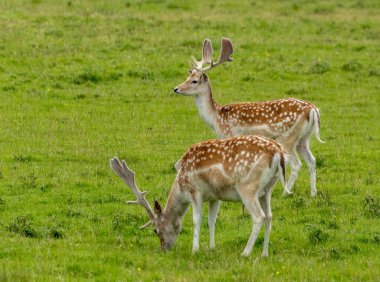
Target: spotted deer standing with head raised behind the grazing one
(290, 122)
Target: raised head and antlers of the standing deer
(197, 82)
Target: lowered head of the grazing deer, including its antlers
(165, 228)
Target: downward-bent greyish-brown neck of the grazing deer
(177, 204)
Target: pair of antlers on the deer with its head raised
(225, 53)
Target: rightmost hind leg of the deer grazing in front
(265, 205)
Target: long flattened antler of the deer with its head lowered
(128, 176)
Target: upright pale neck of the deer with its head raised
(207, 108)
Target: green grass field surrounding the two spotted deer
(82, 81)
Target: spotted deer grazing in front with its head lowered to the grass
(242, 169)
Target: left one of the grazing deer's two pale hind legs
(250, 200)
